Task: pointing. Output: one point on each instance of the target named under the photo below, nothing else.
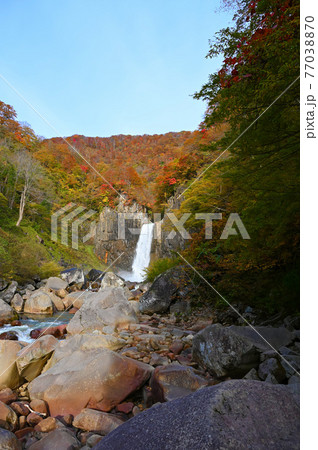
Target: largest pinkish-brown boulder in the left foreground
(94, 378)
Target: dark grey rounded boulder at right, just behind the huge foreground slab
(233, 351)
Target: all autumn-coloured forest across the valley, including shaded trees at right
(247, 148)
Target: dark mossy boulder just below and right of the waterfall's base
(163, 291)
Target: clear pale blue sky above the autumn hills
(105, 67)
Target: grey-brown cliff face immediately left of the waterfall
(108, 244)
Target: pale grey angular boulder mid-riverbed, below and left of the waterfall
(109, 307)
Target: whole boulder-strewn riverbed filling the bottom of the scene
(134, 367)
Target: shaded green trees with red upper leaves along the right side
(256, 91)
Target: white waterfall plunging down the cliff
(142, 254)
